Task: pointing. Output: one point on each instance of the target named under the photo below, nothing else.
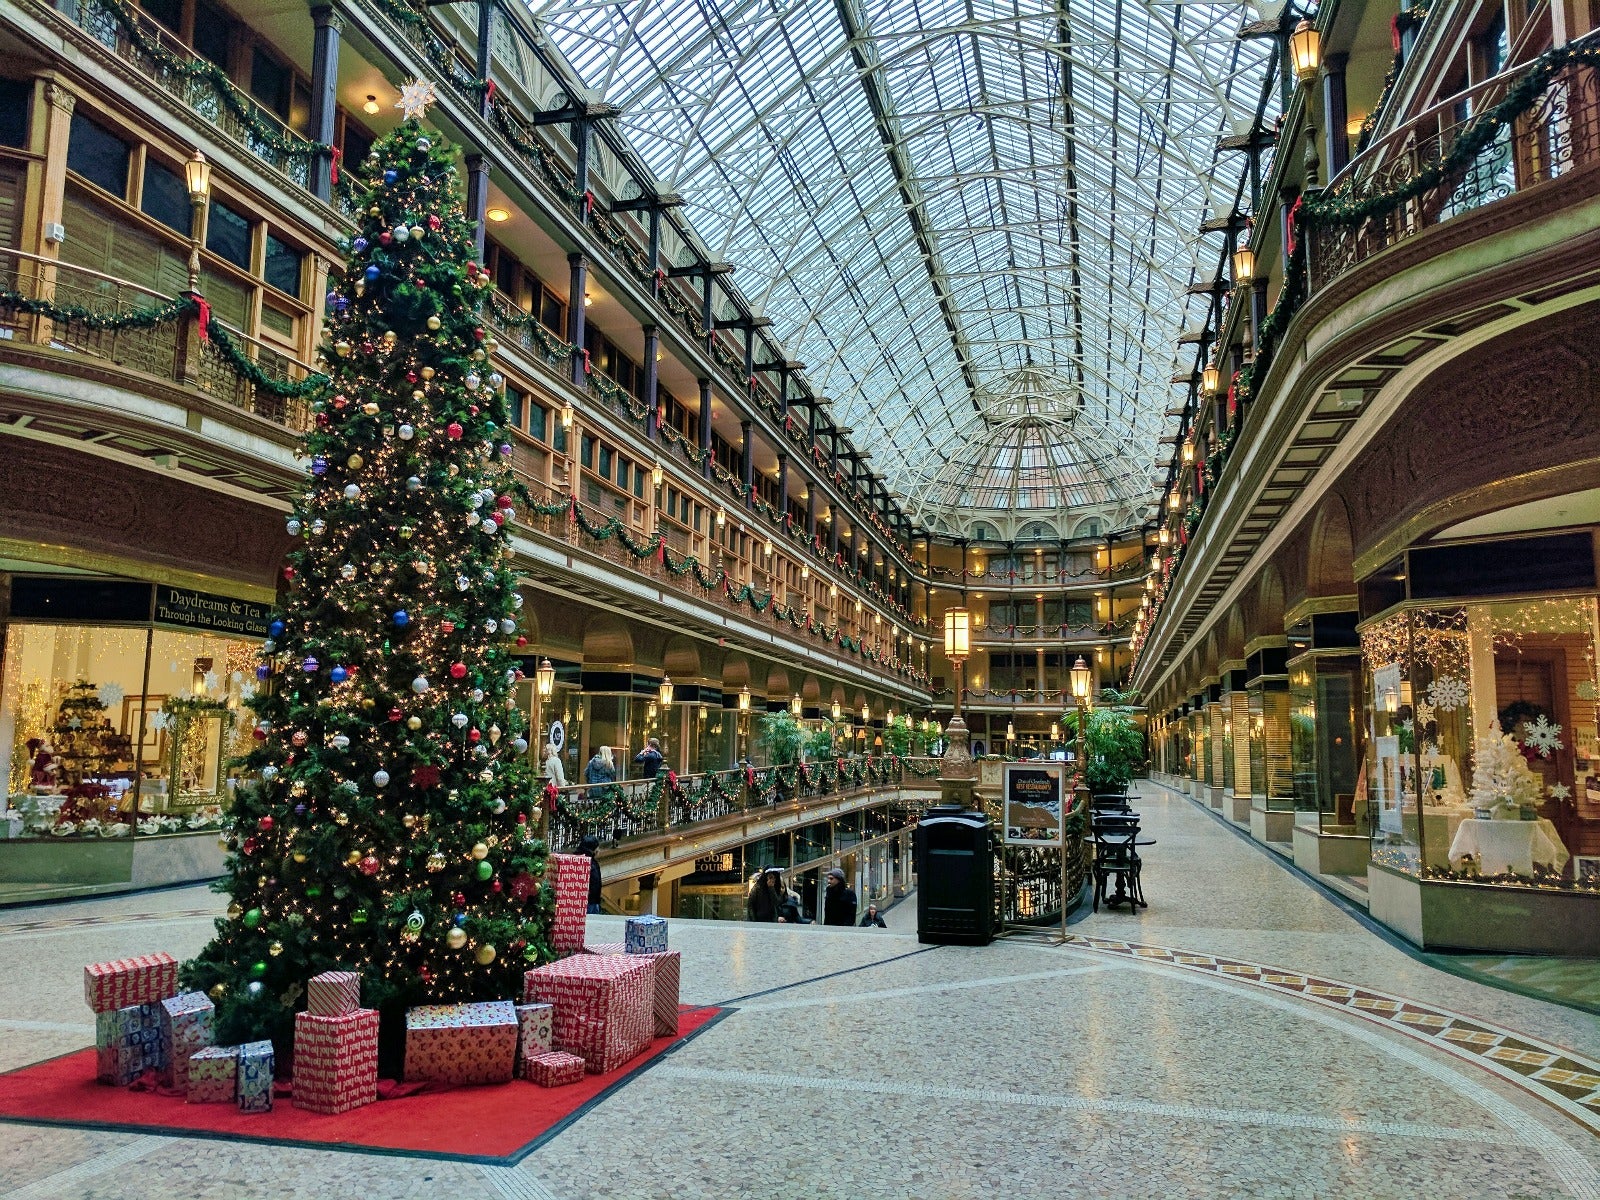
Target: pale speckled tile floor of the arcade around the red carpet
(1241, 1038)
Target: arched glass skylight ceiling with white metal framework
(975, 223)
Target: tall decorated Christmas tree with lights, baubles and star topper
(393, 825)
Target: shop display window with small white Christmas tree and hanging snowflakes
(1481, 716)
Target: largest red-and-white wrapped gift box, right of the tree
(604, 1006)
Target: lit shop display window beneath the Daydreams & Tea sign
(114, 732)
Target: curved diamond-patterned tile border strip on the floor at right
(1551, 1073)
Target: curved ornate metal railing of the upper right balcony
(1554, 137)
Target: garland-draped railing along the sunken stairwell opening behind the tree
(638, 809)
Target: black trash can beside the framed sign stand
(956, 878)
